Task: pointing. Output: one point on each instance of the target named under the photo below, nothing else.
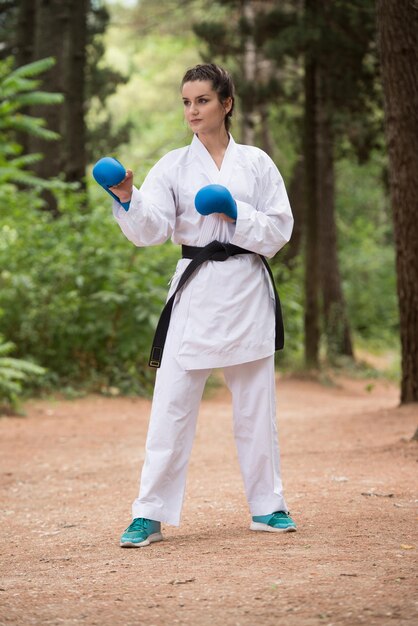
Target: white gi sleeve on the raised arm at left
(151, 216)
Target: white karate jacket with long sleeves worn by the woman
(225, 313)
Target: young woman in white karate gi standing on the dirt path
(225, 314)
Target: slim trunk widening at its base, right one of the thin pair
(336, 326)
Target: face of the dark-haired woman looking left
(202, 109)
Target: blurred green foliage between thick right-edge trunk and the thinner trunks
(367, 252)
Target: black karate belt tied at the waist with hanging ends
(214, 251)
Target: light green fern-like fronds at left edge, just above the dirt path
(14, 374)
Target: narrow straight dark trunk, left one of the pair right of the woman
(311, 221)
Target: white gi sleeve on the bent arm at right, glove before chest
(267, 226)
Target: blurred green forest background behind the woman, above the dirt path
(84, 79)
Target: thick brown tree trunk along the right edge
(398, 34)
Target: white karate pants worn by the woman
(171, 431)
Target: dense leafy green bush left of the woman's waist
(76, 297)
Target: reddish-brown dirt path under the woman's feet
(68, 473)
